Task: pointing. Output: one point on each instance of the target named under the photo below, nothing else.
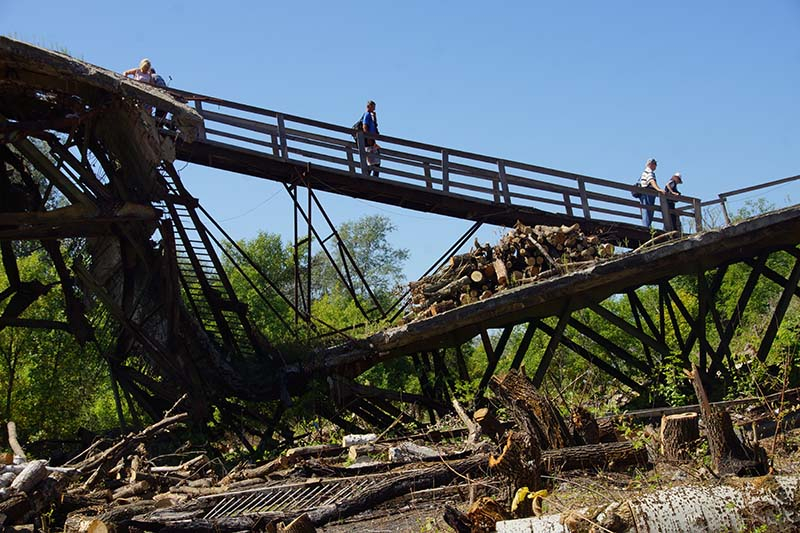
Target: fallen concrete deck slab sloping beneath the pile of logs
(703, 251)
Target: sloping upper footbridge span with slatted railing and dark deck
(290, 149)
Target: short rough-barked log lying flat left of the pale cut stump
(613, 455)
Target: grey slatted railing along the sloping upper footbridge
(504, 182)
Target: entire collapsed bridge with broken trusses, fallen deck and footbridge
(83, 159)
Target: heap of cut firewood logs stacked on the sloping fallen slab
(525, 254)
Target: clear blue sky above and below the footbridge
(708, 88)
